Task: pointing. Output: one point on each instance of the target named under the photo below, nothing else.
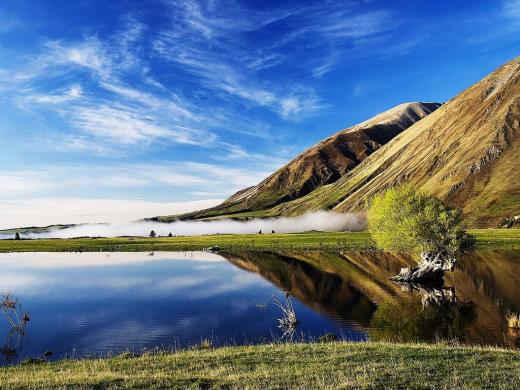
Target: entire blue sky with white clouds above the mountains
(125, 109)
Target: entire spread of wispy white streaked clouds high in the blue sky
(107, 89)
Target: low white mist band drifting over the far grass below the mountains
(321, 221)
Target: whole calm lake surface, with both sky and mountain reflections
(88, 304)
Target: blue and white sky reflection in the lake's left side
(84, 304)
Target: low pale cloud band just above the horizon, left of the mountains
(164, 177)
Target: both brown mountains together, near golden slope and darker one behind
(466, 152)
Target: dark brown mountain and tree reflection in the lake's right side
(354, 288)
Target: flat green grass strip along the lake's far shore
(486, 239)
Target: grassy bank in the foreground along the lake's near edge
(330, 365)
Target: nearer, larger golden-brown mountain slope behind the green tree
(467, 152)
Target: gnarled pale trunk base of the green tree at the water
(431, 268)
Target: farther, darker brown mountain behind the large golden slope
(322, 164)
